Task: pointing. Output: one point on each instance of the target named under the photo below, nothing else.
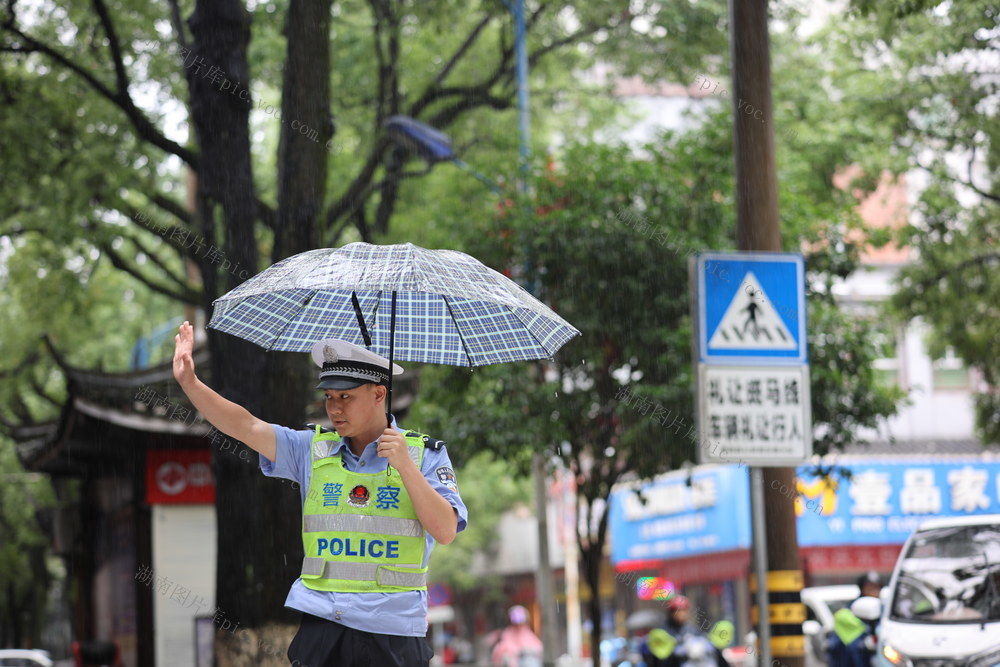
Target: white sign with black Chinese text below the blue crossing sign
(754, 415)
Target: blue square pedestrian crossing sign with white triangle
(751, 308)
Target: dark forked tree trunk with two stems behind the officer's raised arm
(259, 544)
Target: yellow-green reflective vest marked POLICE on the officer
(360, 531)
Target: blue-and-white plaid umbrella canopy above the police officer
(450, 308)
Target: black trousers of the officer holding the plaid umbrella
(323, 643)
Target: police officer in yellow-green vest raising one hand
(375, 500)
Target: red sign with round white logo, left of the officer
(175, 476)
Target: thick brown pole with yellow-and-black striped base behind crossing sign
(757, 229)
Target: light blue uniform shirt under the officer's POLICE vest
(403, 614)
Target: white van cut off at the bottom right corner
(942, 605)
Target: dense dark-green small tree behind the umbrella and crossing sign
(607, 244)
